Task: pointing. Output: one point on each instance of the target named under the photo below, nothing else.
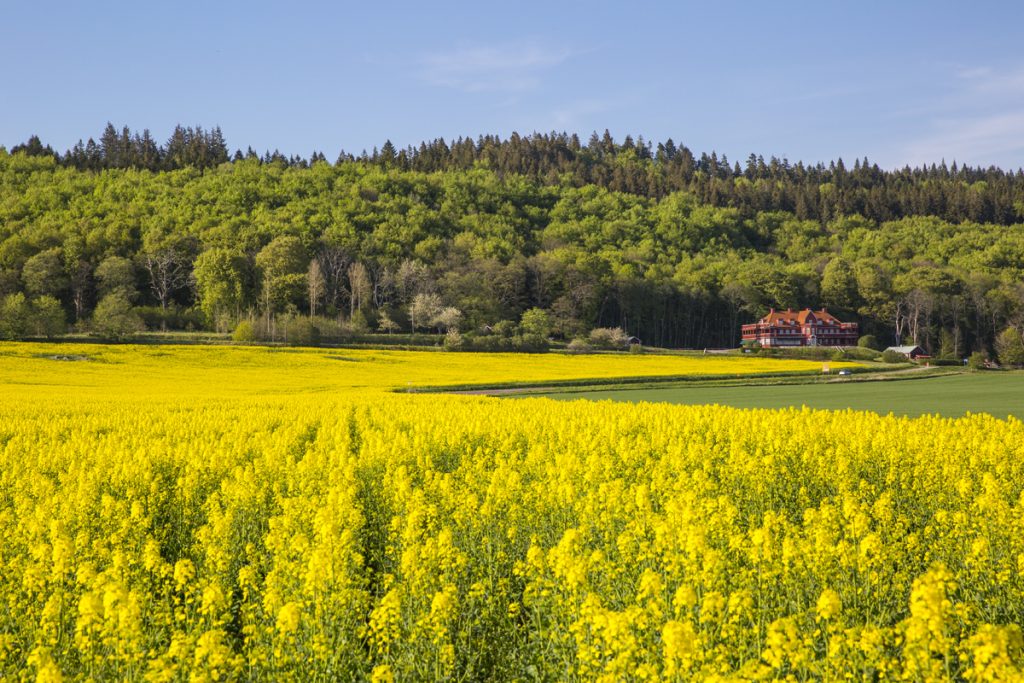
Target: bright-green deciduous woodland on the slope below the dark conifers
(366, 247)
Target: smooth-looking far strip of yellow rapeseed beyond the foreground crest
(202, 373)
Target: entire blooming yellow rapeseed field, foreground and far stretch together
(188, 514)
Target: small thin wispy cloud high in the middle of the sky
(508, 68)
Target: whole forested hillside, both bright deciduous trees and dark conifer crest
(675, 248)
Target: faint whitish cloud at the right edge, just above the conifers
(979, 121)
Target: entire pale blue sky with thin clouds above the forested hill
(900, 82)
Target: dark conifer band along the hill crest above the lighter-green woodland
(816, 192)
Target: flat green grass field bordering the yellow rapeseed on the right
(1001, 395)
